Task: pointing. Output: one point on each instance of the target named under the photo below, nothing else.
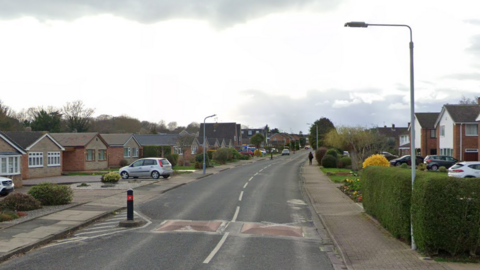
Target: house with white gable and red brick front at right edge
(457, 131)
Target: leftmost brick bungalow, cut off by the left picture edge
(11, 161)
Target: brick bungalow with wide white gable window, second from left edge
(43, 156)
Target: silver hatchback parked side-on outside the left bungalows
(147, 167)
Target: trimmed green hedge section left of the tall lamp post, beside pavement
(386, 196)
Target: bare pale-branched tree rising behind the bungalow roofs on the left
(77, 117)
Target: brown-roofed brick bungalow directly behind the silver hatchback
(121, 147)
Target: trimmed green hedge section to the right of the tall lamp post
(446, 214)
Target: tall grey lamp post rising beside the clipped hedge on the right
(412, 114)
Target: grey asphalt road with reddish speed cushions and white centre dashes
(250, 217)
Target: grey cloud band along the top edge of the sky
(218, 12)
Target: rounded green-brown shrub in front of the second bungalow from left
(52, 194)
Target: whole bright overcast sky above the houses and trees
(284, 63)
